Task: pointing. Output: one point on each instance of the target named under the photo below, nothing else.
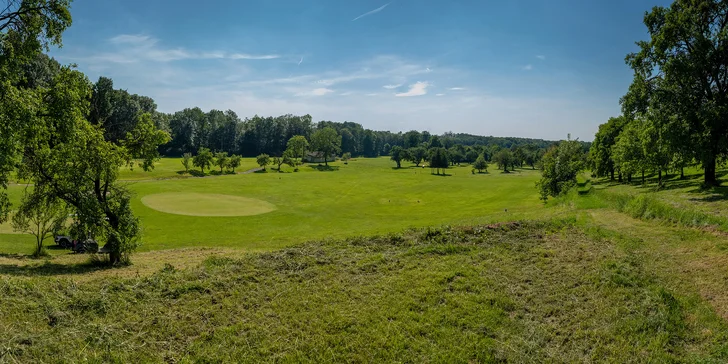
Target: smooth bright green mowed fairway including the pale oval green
(367, 196)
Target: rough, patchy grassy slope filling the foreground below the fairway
(533, 292)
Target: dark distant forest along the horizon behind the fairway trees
(224, 131)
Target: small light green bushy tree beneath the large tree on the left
(39, 214)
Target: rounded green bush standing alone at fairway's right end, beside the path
(561, 165)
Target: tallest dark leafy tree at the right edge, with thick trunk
(682, 70)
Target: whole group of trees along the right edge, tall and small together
(675, 113)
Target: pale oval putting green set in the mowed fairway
(206, 204)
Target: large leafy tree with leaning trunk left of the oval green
(71, 159)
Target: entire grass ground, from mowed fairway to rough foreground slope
(328, 271)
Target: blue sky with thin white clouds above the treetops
(530, 68)
